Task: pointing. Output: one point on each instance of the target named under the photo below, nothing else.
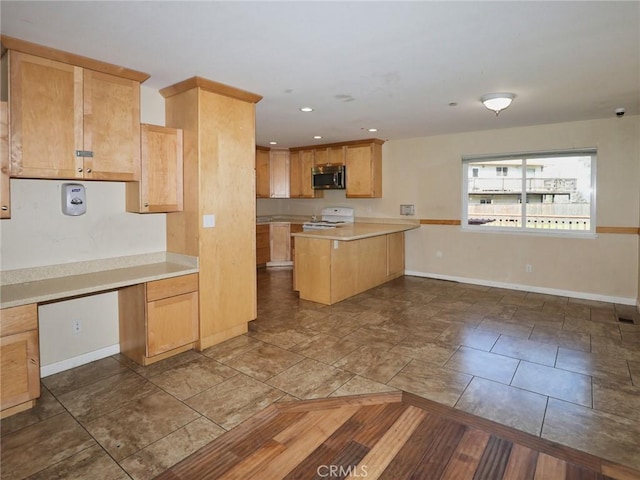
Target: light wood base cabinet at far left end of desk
(20, 359)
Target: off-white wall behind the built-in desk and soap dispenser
(39, 234)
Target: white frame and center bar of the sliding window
(524, 157)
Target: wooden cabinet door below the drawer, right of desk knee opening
(171, 323)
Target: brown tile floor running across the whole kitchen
(561, 368)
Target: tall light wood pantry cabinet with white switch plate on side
(217, 223)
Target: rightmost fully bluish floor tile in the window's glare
(553, 382)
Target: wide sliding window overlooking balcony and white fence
(542, 192)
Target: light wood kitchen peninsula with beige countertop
(335, 264)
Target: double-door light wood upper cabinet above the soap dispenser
(72, 122)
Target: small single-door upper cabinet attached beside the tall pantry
(161, 181)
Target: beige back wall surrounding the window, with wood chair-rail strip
(427, 172)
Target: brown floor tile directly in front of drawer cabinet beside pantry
(189, 379)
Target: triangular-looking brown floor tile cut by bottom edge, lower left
(91, 463)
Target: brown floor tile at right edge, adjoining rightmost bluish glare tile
(617, 398)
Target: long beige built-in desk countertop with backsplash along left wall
(58, 282)
